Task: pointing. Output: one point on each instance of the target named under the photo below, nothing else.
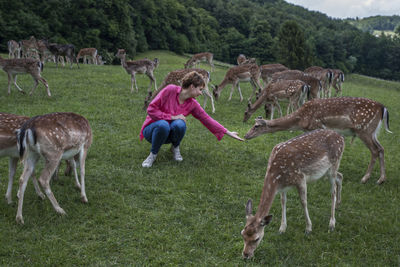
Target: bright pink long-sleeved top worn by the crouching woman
(166, 104)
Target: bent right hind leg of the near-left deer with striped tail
(44, 179)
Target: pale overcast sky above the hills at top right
(351, 8)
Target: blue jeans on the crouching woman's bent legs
(161, 132)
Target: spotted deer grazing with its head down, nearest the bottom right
(294, 163)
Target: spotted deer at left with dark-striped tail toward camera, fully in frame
(54, 137)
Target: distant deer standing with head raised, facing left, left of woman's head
(143, 66)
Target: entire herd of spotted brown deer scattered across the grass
(293, 163)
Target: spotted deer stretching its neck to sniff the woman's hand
(352, 116)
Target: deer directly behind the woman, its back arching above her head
(175, 77)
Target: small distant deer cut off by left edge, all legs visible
(16, 66)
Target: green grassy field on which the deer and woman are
(192, 212)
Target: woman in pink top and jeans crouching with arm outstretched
(166, 117)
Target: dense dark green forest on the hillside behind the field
(270, 30)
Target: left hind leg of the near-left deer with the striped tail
(29, 166)
